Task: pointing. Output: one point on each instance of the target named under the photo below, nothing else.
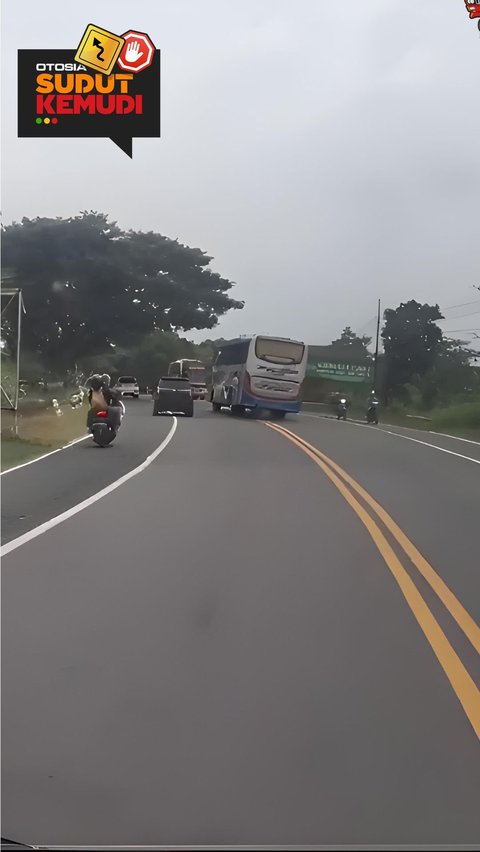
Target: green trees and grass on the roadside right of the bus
(425, 380)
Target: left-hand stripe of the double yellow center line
(463, 685)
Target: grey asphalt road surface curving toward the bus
(223, 650)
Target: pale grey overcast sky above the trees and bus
(324, 152)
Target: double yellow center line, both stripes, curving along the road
(460, 680)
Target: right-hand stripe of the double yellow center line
(455, 608)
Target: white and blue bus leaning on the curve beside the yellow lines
(259, 372)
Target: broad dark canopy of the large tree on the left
(90, 286)
